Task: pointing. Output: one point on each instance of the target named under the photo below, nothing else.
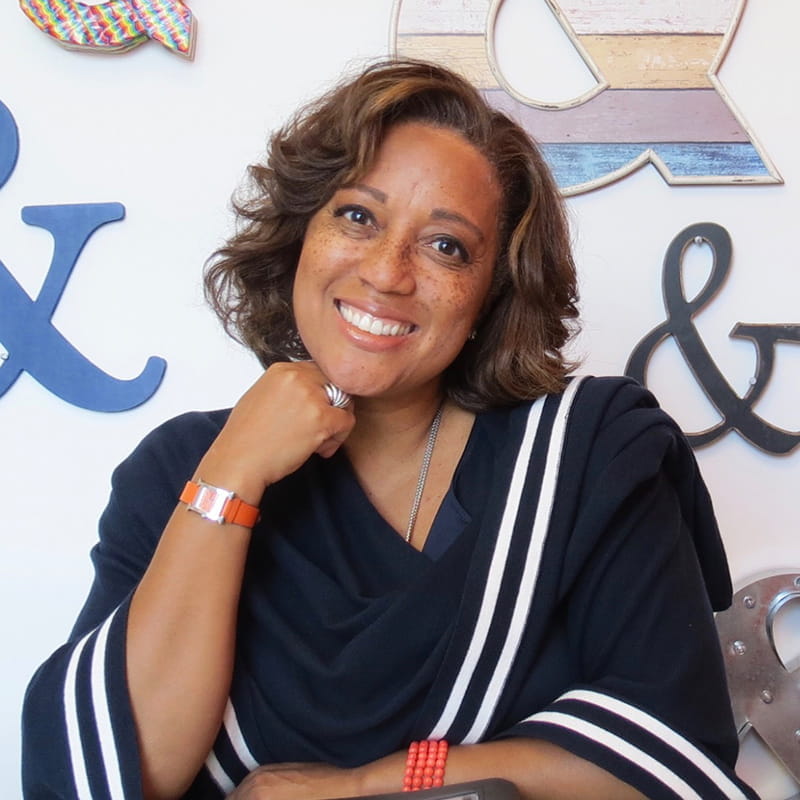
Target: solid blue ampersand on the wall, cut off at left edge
(32, 342)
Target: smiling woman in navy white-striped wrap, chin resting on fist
(455, 541)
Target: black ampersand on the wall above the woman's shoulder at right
(737, 412)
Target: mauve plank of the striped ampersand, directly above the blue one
(622, 115)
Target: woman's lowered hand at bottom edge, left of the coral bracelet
(297, 782)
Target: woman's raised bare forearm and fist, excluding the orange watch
(182, 627)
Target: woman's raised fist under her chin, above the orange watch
(278, 423)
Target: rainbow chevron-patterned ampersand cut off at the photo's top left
(115, 25)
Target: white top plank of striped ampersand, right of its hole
(649, 16)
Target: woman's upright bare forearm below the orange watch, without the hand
(180, 647)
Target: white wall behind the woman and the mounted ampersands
(170, 138)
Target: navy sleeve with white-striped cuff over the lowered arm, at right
(643, 570)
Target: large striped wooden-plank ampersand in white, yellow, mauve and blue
(657, 97)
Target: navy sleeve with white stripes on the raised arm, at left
(78, 734)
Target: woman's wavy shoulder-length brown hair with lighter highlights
(531, 309)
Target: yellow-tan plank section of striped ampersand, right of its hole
(649, 62)
